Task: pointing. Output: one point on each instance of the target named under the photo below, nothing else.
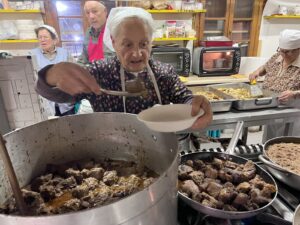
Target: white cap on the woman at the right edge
(289, 39)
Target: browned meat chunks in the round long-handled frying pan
(224, 185)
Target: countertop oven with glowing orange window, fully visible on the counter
(216, 61)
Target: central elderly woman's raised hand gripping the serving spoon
(72, 79)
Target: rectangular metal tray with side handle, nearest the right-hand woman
(268, 100)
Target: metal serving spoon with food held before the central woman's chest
(134, 87)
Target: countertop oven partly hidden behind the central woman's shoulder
(179, 58)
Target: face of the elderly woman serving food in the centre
(133, 45)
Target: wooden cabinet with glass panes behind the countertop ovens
(238, 20)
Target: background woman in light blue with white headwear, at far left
(48, 53)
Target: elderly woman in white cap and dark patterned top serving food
(131, 32)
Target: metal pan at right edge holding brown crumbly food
(289, 178)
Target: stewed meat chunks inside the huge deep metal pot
(81, 185)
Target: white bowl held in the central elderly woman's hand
(169, 118)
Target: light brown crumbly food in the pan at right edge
(287, 155)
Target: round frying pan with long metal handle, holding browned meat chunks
(228, 155)
